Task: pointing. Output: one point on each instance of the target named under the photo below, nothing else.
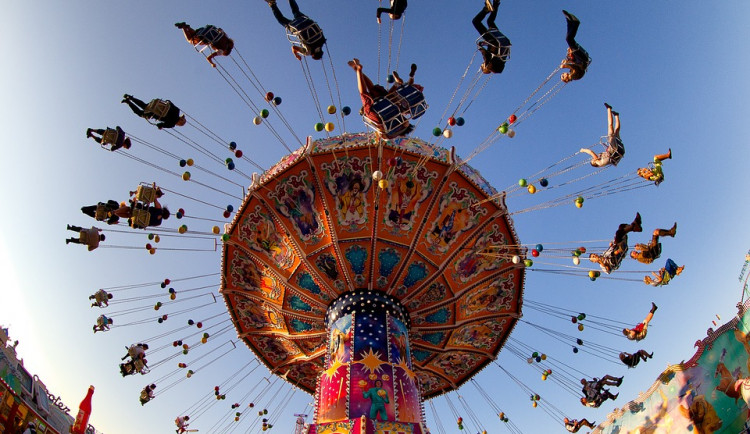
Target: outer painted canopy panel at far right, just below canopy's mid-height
(496, 296)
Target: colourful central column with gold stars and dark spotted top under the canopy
(368, 386)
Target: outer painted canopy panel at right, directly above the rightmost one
(473, 263)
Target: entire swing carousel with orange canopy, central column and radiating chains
(371, 271)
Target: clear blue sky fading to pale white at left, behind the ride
(674, 70)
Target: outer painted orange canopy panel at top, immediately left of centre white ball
(348, 190)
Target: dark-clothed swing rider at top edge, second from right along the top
(495, 46)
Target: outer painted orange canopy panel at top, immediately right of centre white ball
(403, 202)
